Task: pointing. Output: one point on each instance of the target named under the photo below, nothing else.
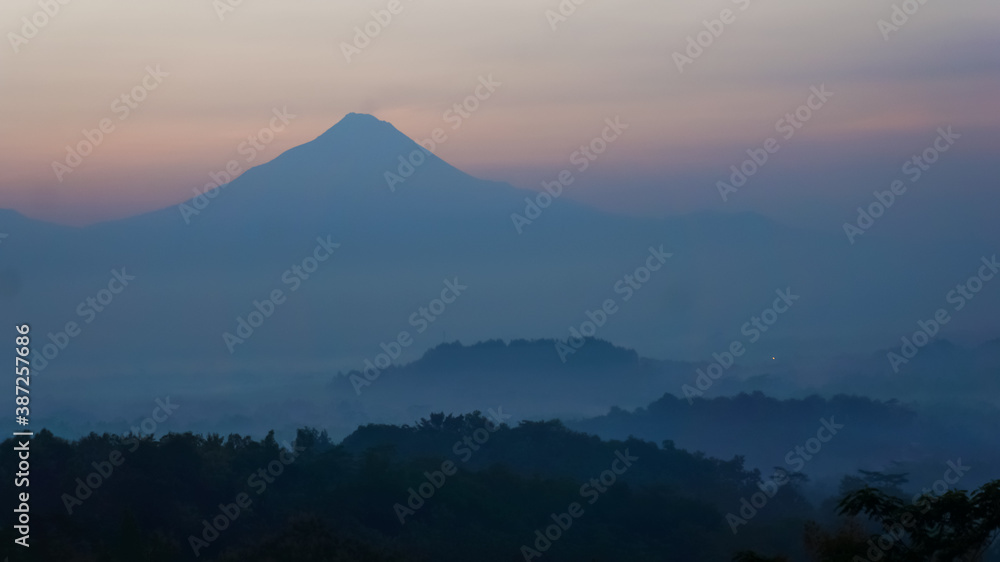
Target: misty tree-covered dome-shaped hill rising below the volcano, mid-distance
(526, 377)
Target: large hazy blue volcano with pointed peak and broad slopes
(205, 267)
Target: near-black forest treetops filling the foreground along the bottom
(459, 488)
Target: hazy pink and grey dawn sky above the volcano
(223, 70)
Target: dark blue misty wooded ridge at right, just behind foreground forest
(887, 436)
